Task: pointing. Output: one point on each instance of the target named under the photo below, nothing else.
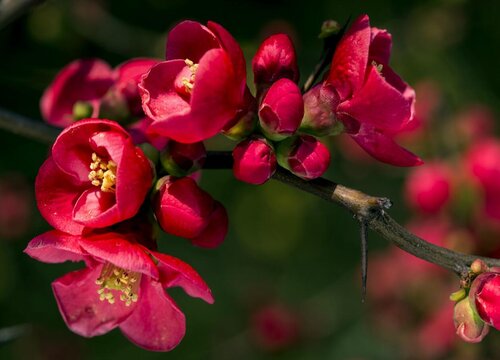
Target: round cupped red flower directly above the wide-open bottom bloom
(95, 177)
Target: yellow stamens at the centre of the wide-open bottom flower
(114, 278)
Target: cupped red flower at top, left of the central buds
(201, 88)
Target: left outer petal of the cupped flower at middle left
(56, 196)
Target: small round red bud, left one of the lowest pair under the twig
(254, 161)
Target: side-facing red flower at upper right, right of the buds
(368, 97)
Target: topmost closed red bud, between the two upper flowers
(275, 59)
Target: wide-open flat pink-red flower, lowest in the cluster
(122, 286)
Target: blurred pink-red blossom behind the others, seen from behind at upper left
(90, 88)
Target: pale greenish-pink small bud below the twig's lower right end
(468, 324)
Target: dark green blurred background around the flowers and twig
(283, 245)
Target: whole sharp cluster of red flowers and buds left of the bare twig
(129, 156)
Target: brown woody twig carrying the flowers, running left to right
(369, 210)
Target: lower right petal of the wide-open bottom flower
(157, 323)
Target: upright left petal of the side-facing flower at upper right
(349, 63)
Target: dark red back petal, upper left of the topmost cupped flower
(190, 40)
